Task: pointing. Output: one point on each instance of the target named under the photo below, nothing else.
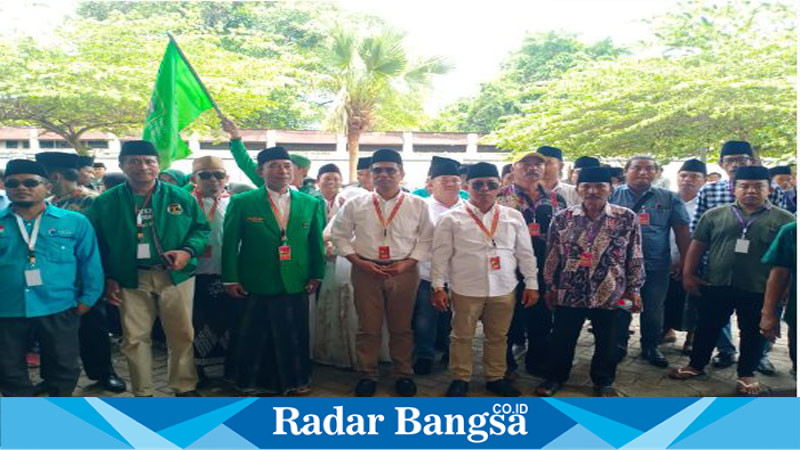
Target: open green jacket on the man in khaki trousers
(179, 220)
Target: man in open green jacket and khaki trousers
(150, 233)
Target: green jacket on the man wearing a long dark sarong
(251, 238)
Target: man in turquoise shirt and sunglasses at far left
(51, 275)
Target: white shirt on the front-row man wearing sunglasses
(461, 253)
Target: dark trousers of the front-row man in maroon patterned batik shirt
(566, 329)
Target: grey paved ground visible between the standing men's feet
(635, 377)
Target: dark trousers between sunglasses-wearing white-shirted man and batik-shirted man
(532, 325)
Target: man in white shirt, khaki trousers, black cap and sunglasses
(478, 247)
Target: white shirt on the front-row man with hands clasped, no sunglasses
(357, 229)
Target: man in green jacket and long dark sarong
(273, 256)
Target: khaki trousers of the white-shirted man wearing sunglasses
(495, 313)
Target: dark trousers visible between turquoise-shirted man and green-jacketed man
(95, 345)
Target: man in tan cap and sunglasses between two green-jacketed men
(213, 311)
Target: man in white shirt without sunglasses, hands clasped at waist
(384, 235)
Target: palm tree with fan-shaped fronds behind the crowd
(367, 72)
